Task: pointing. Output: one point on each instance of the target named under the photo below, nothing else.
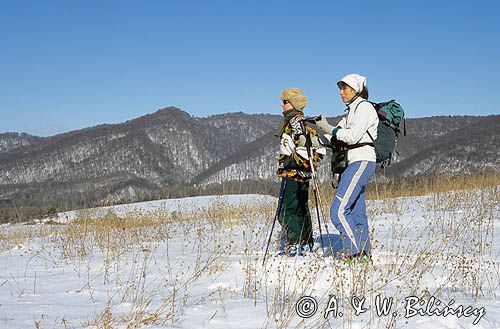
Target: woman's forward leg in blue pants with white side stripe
(351, 184)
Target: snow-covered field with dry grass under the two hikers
(197, 263)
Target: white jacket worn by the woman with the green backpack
(360, 118)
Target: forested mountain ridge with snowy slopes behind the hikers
(169, 150)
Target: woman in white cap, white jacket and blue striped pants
(357, 129)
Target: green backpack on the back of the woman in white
(390, 115)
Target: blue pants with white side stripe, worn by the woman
(348, 210)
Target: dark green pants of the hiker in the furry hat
(295, 218)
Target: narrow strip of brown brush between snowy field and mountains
(33, 203)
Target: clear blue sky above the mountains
(66, 65)
